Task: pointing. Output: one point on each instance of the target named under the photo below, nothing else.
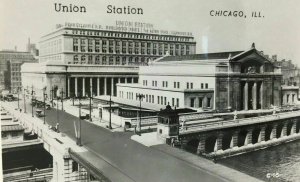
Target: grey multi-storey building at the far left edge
(10, 68)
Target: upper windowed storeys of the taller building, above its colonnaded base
(90, 44)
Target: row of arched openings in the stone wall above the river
(248, 139)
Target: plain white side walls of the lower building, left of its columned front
(181, 85)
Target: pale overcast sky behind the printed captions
(277, 33)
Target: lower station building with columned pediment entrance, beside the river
(241, 80)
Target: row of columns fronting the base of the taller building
(113, 83)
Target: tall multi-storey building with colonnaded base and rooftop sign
(84, 59)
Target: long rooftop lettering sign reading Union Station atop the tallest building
(126, 26)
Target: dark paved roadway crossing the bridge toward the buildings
(138, 162)
